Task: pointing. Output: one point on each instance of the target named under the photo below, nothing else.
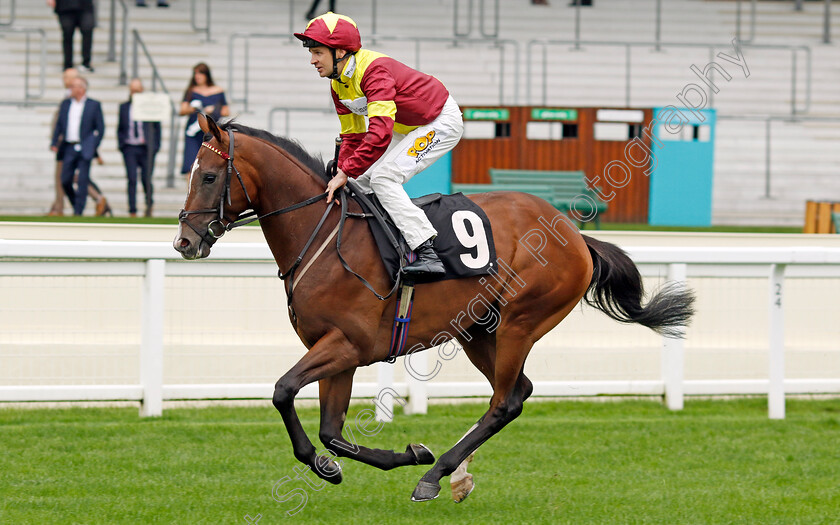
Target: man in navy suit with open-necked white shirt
(78, 132)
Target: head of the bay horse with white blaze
(216, 193)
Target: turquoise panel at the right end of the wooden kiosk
(681, 181)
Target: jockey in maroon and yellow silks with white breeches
(412, 122)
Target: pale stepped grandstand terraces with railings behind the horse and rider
(251, 55)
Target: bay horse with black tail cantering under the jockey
(549, 267)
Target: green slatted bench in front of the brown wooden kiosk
(566, 187)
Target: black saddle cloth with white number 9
(464, 241)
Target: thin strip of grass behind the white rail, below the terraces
(604, 226)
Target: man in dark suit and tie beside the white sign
(139, 142)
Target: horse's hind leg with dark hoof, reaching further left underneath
(510, 388)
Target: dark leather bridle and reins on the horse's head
(217, 227)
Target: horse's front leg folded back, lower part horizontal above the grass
(334, 394)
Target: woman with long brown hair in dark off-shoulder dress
(201, 95)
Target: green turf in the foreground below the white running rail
(567, 462)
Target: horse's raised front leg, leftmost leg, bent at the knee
(331, 355)
